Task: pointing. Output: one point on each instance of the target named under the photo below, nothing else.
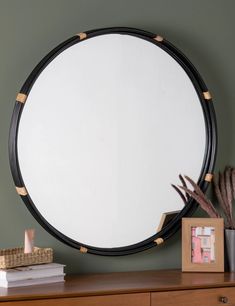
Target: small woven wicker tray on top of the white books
(11, 258)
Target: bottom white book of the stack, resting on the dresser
(30, 282)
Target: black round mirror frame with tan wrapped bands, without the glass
(210, 150)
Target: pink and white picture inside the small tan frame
(203, 244)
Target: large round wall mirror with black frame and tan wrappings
(101, 128)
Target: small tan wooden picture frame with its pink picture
(202, 244)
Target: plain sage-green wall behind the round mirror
(203, 30)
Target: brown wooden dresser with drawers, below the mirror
(155, 288)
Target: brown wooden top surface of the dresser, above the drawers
(120, 283)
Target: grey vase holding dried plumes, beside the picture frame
(230, 249)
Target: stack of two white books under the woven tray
(32, 275)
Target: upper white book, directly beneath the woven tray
(31, 272)
